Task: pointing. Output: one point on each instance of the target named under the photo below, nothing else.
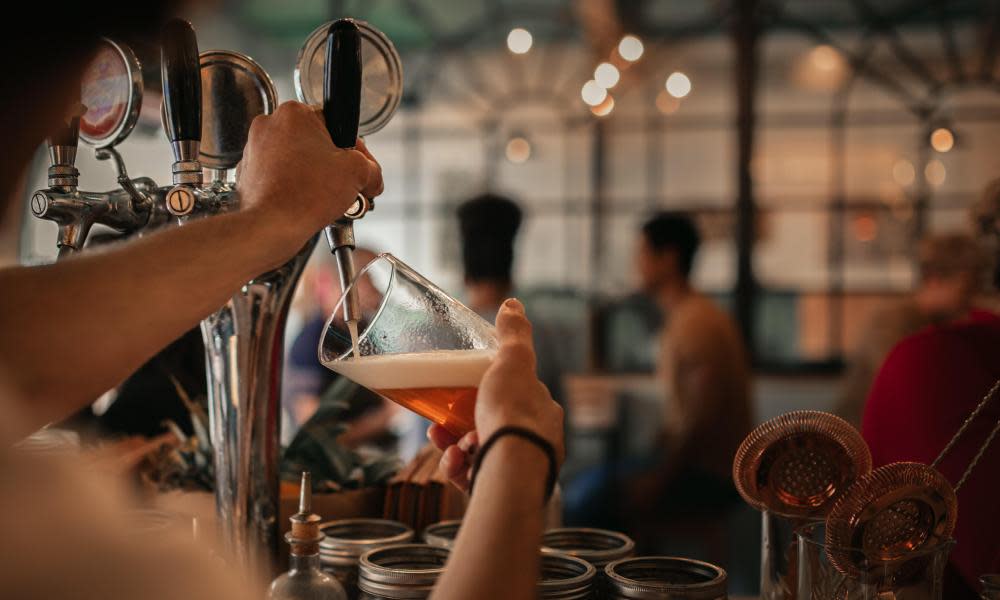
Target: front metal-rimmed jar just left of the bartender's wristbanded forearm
(405, 571)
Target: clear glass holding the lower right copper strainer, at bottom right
(919, 575)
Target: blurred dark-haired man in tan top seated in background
(705, 367)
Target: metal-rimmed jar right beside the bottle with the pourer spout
(347, 539)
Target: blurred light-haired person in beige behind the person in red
(953, 268)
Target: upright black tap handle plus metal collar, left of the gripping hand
(181, 76)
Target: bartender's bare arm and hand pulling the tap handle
(74, 329)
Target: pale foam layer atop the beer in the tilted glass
(443, 368)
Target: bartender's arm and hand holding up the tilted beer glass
(496, 553)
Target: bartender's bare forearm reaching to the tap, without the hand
(75, 329)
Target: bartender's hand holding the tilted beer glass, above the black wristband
(509, 394)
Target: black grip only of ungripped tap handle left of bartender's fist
(181, 72)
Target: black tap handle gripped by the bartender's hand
(342, 83)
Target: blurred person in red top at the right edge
(925, 390)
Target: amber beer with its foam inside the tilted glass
(440, 385)
